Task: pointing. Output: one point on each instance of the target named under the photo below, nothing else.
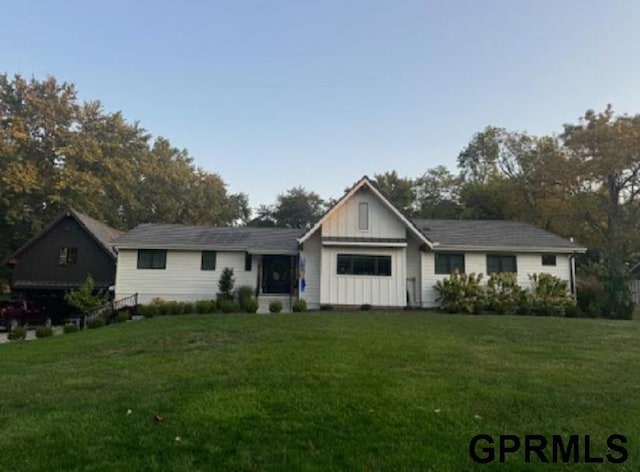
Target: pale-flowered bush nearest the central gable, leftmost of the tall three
(461, 293)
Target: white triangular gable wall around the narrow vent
(383, 223)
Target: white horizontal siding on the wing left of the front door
(183, 279)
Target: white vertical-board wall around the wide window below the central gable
(336, 289)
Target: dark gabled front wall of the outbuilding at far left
(39, 262)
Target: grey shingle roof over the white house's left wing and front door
(255, 240)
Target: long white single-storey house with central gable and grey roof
(362, 251)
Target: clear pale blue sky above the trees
(317, 93)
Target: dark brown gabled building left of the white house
(60, 257)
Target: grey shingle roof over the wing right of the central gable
(492, 234)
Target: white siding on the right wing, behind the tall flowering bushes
(476, 262)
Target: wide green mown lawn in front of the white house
(357, 391)
